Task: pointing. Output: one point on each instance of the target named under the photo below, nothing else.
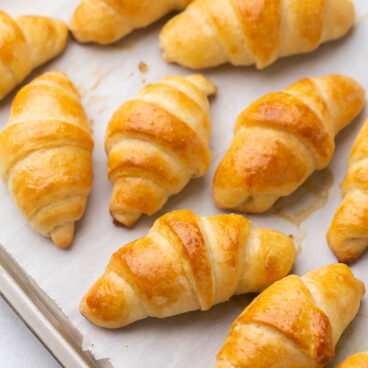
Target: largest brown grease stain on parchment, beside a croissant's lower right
(319, 186)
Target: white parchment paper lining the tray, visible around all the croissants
(107, 76)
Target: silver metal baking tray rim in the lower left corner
(43, 317)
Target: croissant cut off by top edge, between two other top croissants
(106, 21)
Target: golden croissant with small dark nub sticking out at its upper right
(156, 143)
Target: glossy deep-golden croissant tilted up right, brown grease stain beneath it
(282, 138)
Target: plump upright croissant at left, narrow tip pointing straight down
(46, 156)
